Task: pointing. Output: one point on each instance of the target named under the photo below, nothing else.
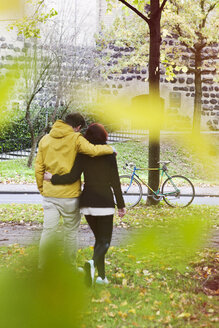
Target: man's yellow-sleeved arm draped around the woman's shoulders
(85, 147)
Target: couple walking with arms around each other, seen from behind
(63, 155)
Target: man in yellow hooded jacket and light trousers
(56, 154)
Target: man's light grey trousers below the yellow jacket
(68, 208)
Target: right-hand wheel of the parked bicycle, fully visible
(178, 191)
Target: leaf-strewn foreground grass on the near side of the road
(149, 287)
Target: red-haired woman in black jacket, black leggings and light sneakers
(96, 201)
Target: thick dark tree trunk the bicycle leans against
(154, 92)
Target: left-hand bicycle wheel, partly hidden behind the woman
(131, 190)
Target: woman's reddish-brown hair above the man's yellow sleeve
(96, 134)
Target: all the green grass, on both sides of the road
(151, 286)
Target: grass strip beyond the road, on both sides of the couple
(182, 162)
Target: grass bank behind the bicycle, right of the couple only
(183, 161)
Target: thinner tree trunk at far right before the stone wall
(198, 94)
